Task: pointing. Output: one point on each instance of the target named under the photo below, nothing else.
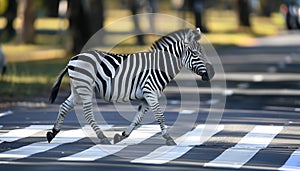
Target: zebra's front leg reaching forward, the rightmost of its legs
(152, 100)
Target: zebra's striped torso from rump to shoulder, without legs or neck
(120, 77)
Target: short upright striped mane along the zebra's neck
(176, 35)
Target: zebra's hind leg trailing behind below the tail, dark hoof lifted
(64, 108)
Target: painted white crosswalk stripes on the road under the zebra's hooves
(258, 138)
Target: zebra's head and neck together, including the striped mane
(183, 44)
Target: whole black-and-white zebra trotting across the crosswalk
(124, 77)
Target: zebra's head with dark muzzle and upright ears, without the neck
(194, 58)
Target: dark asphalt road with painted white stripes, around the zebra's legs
(258, 129)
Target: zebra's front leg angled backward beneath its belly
(143, 107)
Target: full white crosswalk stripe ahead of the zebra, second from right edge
(246, 148)
